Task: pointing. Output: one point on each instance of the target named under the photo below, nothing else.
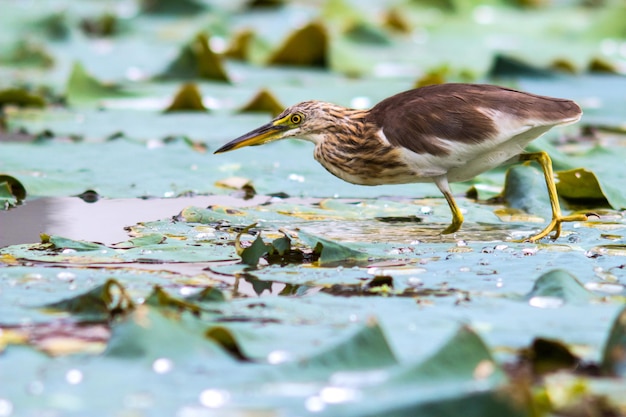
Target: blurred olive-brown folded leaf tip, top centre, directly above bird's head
(307, 46)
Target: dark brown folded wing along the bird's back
(418, 119)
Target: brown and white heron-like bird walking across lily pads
(437, 134)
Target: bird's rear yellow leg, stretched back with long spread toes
(544, 160)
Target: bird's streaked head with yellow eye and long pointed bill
(307, 120)
